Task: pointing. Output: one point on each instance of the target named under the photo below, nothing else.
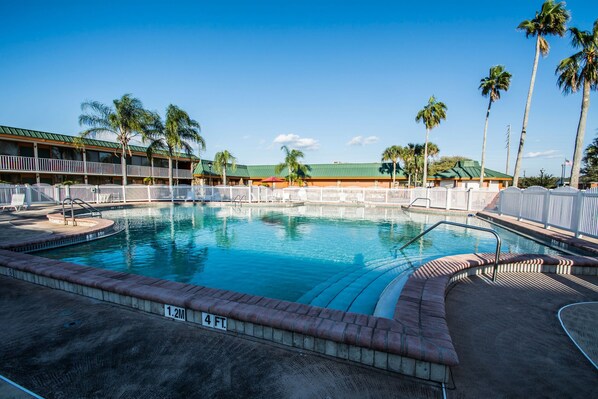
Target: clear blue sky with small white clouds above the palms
(339, 80)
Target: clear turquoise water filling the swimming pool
(341, 258)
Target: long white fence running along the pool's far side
(437, 197)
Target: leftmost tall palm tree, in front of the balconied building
(126, 119)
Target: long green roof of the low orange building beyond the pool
(317, 171)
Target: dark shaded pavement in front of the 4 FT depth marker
(62, 345)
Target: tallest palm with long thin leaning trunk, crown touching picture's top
(551, 20)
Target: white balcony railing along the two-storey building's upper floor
(11, 163)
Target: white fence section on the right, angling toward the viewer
(565, 208)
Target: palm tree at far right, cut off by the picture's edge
(576, 72)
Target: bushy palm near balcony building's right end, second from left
(175, 136)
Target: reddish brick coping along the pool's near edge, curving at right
(415, 342)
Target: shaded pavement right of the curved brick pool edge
(510, 341)
